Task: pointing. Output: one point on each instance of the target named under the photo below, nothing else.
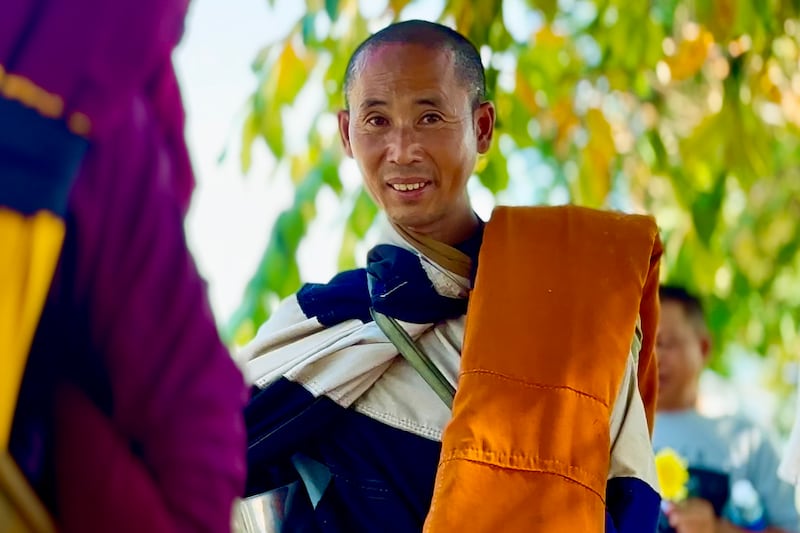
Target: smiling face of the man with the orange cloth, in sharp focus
(412, 130)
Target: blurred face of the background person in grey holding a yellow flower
(682, 351)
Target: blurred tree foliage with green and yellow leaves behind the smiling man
(687, 109)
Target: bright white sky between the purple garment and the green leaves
(231, 214)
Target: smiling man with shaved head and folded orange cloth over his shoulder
(548, 430)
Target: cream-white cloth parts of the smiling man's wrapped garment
(354, 364)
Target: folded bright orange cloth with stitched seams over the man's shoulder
(557, 297)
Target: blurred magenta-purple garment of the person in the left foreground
(129, 417)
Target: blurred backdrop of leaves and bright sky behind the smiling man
(686, 109)
